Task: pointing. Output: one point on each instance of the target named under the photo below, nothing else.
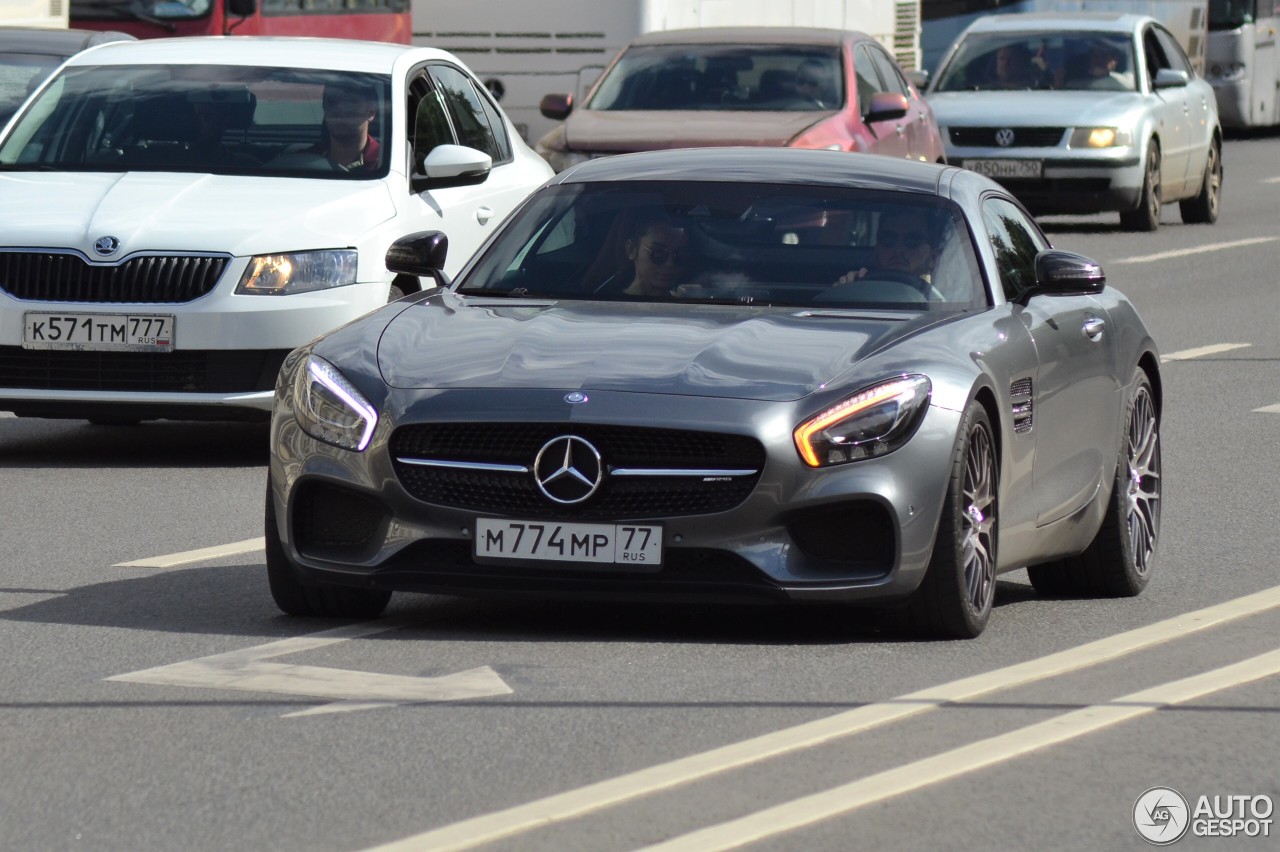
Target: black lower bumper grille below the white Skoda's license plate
(181, 372)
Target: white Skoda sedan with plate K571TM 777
(184, 213)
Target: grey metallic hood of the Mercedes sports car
(454, 342)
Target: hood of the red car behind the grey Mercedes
(651, 131)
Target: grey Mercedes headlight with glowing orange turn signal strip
(872, 423)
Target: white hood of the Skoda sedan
(173, 212)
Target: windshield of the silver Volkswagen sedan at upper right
(1067, 61)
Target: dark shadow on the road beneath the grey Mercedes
(235, 601)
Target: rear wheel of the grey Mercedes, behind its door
(1118, 562)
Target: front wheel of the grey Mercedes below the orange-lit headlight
(958, 592)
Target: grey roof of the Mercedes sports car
(801, 167)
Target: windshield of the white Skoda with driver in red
(205, 120)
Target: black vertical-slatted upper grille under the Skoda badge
(66, 277)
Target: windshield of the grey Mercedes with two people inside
(761, 245)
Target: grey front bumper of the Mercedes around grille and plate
(857, 533)
